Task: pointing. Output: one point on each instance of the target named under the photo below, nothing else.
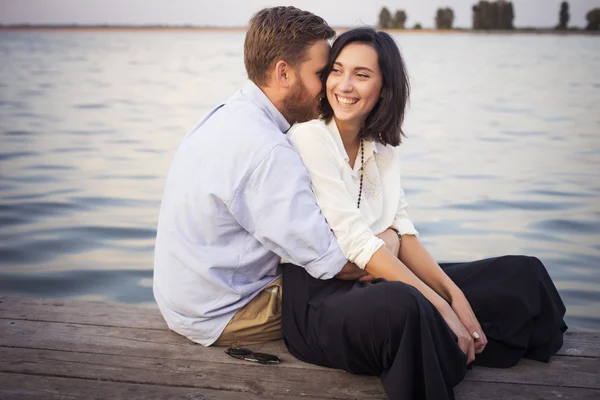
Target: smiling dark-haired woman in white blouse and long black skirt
(417, 324)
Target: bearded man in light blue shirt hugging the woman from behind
(238, 198)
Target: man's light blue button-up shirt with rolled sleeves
(237, 199)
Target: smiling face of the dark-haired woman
(354, 84)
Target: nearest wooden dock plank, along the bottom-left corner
(31, 387)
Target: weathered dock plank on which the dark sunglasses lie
(562, 371)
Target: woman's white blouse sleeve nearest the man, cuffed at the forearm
(355, 238)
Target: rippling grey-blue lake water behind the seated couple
(502, 154)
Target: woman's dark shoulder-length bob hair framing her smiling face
(384, 122)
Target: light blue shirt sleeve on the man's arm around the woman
(275, 204)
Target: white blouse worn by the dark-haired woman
(336, 186)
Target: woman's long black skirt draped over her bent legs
(390, 330)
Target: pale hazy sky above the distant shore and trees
(230, 13)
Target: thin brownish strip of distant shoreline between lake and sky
(537, 31)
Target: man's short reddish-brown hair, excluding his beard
(280, 33)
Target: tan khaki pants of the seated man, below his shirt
(257, 322)
